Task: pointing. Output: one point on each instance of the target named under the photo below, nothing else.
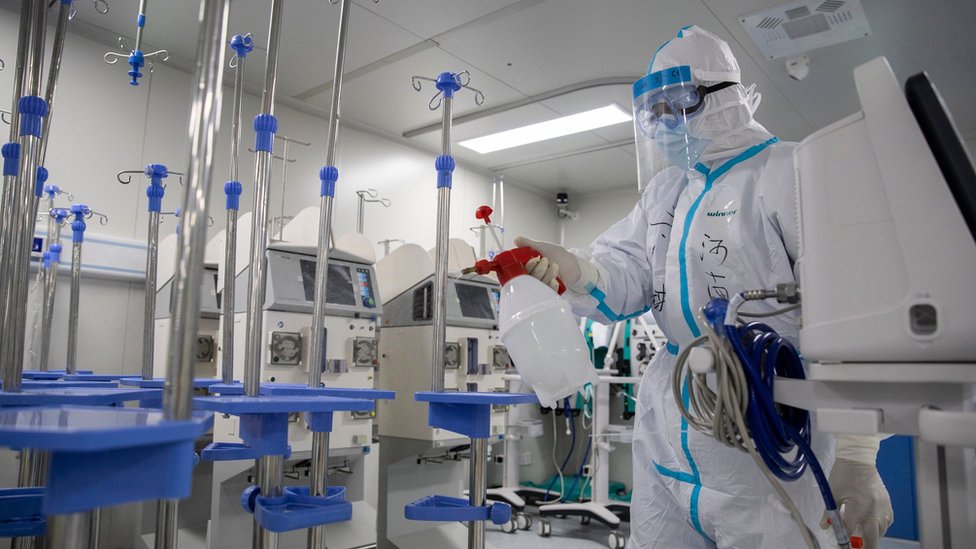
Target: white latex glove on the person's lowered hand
(859, 490)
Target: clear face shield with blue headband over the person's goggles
(664, 103)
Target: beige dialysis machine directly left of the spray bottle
(416, 459)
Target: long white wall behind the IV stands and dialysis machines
(100, 126)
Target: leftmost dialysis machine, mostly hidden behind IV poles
(208, 330)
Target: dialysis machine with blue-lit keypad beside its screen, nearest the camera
(351, 361)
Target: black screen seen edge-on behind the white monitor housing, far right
(950, 154)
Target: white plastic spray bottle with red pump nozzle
(539, 330)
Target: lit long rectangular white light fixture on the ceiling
(550, 129)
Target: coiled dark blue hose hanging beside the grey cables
(776, 429)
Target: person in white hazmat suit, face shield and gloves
(716, 217)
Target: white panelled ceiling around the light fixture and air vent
(516, 49)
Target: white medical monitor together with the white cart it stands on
(887, 201)
